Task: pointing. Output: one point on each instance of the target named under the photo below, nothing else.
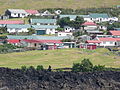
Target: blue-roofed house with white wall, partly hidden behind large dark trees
(72, 17)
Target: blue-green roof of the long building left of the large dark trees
(43, 21)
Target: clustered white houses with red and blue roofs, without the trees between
(94, 38)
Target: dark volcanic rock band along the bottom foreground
(15, 79)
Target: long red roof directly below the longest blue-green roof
(42, 41)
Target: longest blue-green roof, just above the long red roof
(39, 37)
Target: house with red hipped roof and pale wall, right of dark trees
(89, 26)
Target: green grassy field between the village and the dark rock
(59, 58)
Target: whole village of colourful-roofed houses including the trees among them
(61, 31)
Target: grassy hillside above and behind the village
(38, 4)
